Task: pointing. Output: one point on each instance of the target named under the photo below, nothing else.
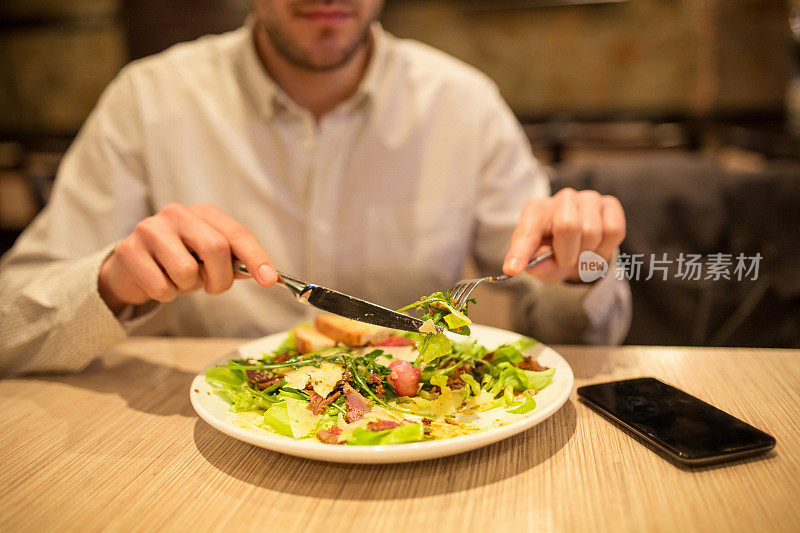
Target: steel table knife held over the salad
(345, 305)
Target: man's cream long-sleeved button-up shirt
(384, 198)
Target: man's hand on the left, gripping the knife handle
(155, 262)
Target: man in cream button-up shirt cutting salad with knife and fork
(310, 141)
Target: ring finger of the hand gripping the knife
(166, 246)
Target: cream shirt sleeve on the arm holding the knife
(52, 317)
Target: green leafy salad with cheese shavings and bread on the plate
(339, 381)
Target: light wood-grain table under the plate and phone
(119, 447)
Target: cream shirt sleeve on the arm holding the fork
(597, 313)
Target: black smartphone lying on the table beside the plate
(686, 428)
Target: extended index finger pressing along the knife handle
(243, 244)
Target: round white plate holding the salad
(215, 411)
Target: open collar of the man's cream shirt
(270, 99)
